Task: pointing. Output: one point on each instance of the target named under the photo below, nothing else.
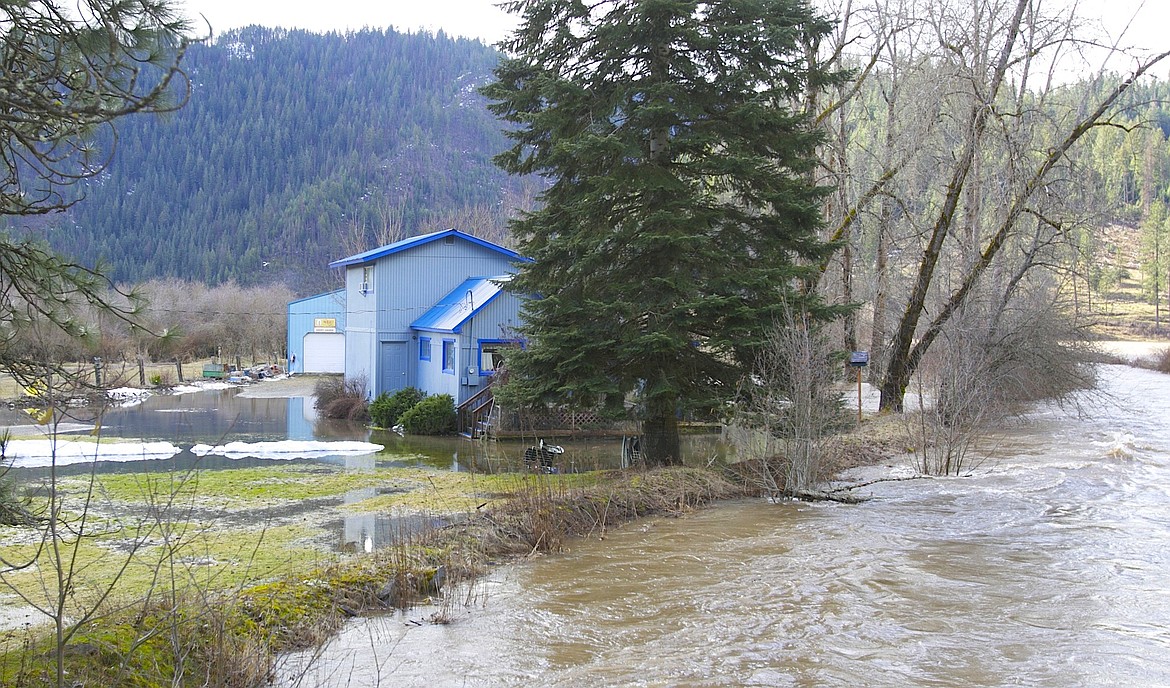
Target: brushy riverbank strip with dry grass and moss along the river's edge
(184, 630)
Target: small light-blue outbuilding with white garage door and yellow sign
(316, 333)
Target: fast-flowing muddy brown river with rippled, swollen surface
(1048, 567)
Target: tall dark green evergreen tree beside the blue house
(682, 215)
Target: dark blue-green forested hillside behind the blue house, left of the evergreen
(297, 149)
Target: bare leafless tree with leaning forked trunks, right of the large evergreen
(959, 146)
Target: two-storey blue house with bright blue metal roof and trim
(431, 313)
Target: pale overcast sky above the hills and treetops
(1150, 19)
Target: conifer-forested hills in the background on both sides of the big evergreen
(297, 149)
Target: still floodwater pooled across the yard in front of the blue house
(222, 417)
